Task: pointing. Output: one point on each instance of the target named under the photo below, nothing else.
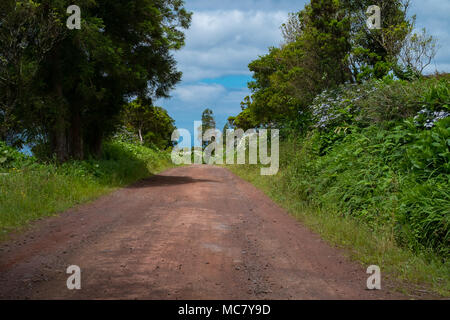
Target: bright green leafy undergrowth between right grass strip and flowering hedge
(391, 179)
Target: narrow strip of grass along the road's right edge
(410, 271)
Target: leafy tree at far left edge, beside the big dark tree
(27, 34)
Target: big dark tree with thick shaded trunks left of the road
(124, 49)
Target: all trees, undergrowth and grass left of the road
(63, 93)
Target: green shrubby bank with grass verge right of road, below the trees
(374, 159)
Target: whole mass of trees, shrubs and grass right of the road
(365, 156)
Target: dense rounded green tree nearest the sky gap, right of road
(316, 57)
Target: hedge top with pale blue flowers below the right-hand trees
(381, 101)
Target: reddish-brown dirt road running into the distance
(195, 232)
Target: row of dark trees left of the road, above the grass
(64, 91)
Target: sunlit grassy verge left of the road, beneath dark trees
(40, 190)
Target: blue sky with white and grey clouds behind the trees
(226, 35)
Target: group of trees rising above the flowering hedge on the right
(328, 44)
